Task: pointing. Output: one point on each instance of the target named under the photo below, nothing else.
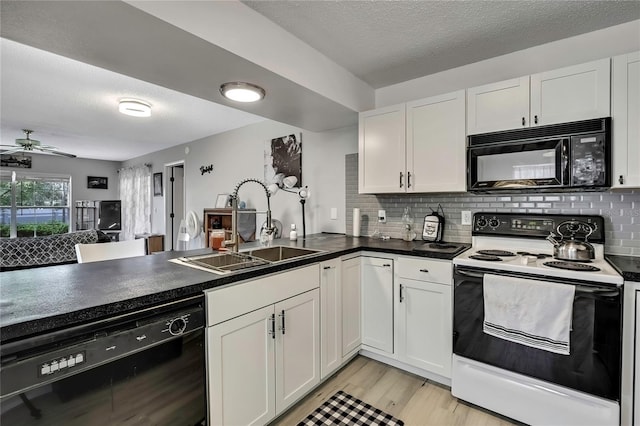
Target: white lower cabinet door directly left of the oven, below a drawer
(425, 325)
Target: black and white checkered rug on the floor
(344, 409)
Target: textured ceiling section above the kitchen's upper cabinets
(387, 42)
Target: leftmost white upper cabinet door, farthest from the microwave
(381, 152)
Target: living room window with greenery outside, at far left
(33, 204)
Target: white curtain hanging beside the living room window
(135, 193)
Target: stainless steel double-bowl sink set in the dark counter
(223, 263)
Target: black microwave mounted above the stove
(559, 157)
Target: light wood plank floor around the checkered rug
(413, 399)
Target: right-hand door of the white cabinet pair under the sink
(297, 348)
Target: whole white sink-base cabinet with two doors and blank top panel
(263, 346)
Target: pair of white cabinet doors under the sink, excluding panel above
(263, 361)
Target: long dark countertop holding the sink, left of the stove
(34, 301)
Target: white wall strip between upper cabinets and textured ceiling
(599, 44)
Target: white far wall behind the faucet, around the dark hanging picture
(239, 154)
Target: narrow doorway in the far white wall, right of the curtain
(174, 207)
